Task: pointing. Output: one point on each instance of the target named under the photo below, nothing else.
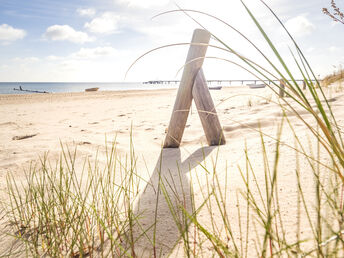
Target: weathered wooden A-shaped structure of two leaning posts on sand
(193, 85)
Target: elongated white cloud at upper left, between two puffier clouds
(66, 33)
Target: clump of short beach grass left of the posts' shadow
(59, 211)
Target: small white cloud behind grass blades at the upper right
(299, 26)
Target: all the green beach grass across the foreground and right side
(59, 211)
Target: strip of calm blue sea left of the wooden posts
(54, 87)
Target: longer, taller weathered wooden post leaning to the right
(184, 96)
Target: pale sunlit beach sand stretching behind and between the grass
(34, 124)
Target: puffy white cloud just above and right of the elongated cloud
(107, 23)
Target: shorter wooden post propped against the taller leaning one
(207, 112)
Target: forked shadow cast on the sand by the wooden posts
(152, 208)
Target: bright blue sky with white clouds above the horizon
(98, 40)
